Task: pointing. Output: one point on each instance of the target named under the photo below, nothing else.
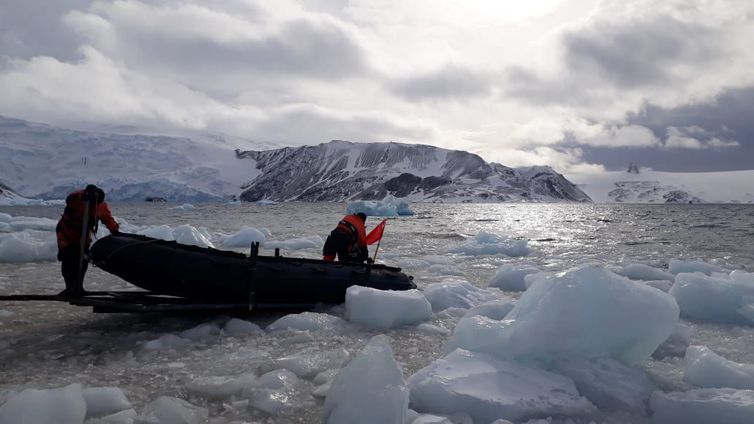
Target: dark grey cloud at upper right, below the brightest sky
(639, 53)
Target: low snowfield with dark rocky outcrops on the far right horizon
(650, 186)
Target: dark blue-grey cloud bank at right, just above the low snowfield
(727, 118)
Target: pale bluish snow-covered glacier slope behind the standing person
(43, 161)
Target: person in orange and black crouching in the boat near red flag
(348, 240)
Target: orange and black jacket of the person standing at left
(70, 225)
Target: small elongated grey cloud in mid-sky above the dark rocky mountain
(449, 83)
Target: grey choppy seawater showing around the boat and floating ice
(52, 344)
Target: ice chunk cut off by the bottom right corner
(703, 406)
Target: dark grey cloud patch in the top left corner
(30, 29)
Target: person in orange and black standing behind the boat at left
(82, 205)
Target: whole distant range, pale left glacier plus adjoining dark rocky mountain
(46, 162)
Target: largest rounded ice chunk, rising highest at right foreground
(588, 312)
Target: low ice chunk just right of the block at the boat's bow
(459, 294)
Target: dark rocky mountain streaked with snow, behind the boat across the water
(341, 170)
